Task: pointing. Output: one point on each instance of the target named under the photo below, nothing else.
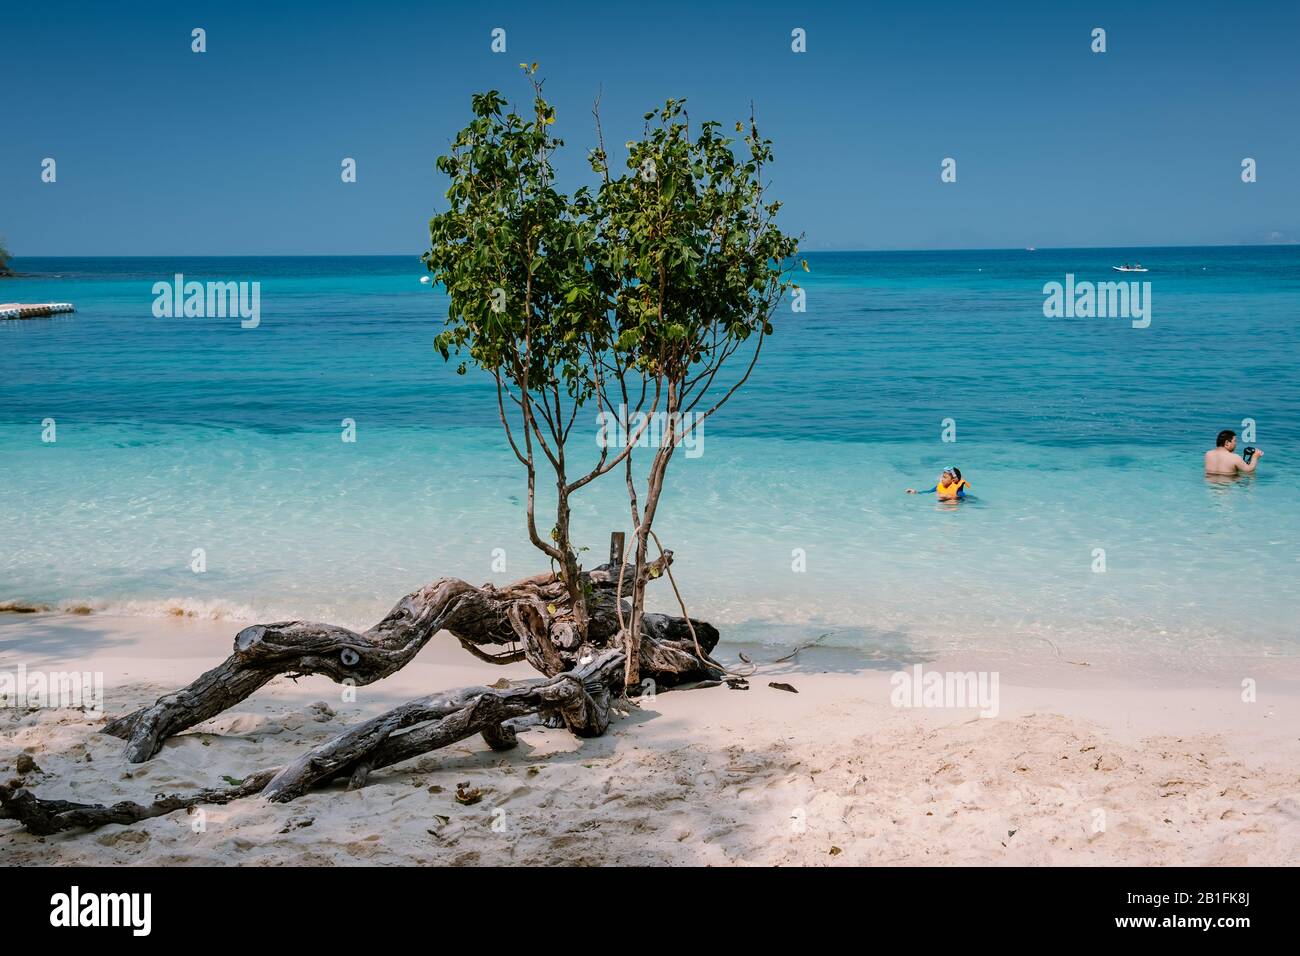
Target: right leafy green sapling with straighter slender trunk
(701, 269)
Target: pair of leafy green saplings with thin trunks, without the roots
(640, 292)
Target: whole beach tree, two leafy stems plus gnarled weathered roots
(656, 282)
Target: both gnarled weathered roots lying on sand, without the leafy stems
(530, 620)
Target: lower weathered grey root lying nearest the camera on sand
(582, 698)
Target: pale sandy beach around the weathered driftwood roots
(1082, 765)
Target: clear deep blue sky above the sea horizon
(163, 152)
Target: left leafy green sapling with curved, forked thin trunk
(528, 301)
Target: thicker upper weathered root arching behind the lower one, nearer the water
(528, 621)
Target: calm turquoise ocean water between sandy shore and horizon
(1076, 434)
